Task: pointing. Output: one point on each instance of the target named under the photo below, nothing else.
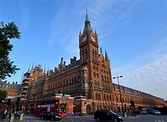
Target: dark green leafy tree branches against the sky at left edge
(7, 32)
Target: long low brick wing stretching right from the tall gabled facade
(139, 98)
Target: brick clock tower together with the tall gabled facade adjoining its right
(95, 74)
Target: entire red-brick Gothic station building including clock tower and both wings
(87, 80)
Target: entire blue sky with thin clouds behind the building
(133, 32)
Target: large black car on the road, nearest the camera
(101, 115)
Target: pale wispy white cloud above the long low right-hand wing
(149, 73)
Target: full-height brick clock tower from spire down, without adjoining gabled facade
(88, 44)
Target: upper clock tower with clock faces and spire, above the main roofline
(88, 43)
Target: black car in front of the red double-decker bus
(50, 116)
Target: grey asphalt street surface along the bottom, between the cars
(140, 118)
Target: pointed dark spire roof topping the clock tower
(87, 27)
